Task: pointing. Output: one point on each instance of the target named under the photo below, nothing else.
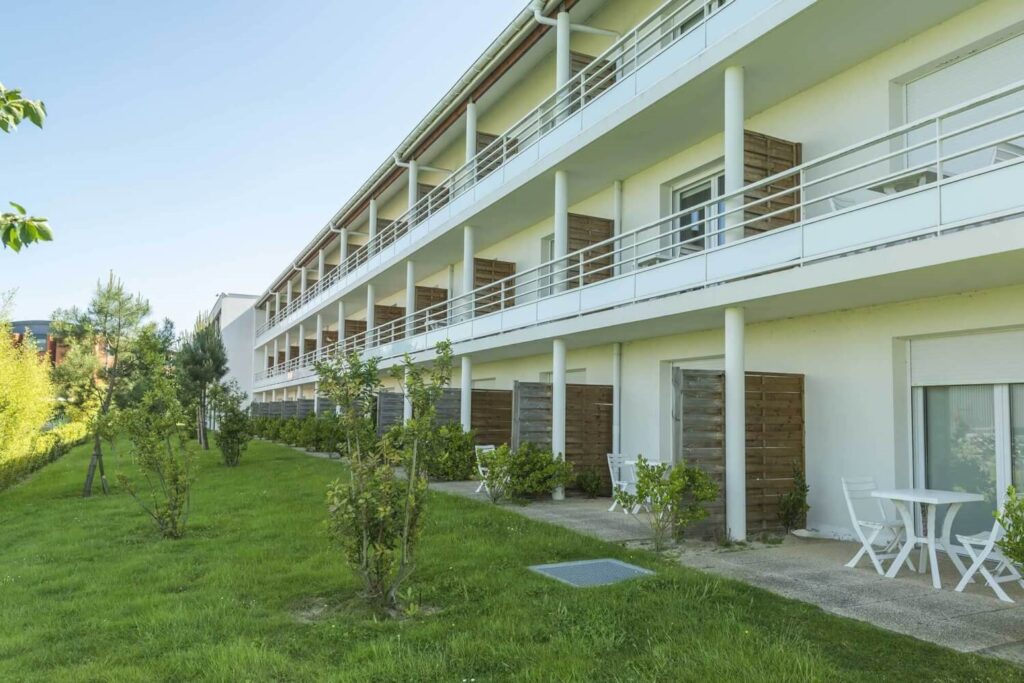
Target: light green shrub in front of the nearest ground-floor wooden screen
(673, 496)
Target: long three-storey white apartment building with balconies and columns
(627, 193)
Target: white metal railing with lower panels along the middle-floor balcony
(794, 218)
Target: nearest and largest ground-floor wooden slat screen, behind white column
(775, 441)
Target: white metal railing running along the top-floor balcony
(660, 31)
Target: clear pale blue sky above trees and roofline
(194, 147)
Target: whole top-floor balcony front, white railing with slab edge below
(673, 35)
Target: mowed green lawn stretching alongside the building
(89, 592)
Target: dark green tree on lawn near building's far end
(202, 362)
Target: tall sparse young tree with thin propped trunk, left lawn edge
(107, 329)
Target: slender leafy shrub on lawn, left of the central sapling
(154, 428)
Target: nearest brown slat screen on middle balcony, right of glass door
(764, 157)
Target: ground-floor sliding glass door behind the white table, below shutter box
(970, 438)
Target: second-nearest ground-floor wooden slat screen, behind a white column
(588, 423)
